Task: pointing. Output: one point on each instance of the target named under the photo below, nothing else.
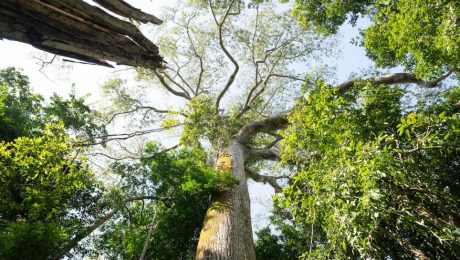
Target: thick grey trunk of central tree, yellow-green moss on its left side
(227, 231)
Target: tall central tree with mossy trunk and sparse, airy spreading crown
(230, 79)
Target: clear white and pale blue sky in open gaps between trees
(86, 79)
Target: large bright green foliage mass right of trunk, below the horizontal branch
(370, 184)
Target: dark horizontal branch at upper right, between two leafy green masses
(396, 78)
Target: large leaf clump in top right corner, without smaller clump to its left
(421, 35)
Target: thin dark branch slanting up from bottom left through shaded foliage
(88, 230)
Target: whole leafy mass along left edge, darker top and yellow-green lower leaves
(47, 192)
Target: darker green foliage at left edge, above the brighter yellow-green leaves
(24, 113)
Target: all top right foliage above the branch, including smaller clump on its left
(421, 35)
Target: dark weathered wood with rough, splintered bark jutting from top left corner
(78, 30)
